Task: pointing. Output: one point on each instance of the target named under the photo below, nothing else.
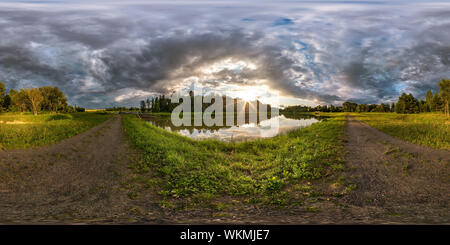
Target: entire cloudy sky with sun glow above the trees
(116, 53)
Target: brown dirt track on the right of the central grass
(395, 178)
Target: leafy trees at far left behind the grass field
(47, 98)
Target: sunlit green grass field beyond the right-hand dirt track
(430, 129)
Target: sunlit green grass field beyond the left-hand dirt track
(20, 131)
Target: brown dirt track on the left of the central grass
(73, 180)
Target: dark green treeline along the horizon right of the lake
(406, 103)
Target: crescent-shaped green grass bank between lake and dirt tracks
(261, 170)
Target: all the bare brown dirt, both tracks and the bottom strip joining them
(78, 181)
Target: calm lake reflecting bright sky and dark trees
(245, 131)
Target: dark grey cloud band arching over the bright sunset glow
(167, 59)
